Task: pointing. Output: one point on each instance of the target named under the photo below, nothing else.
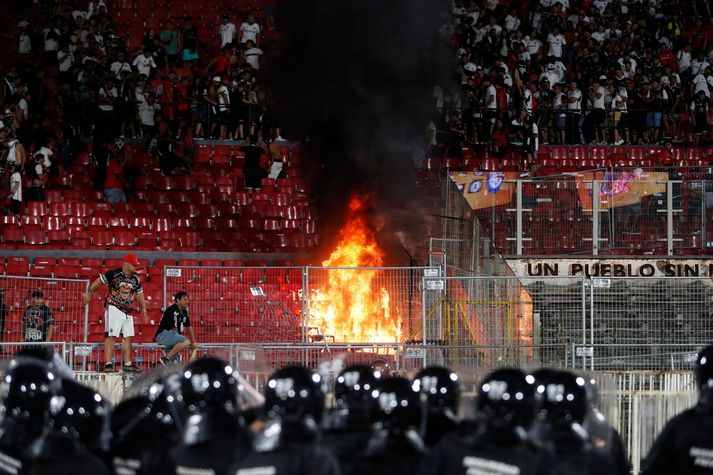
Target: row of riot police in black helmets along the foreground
(204, 419)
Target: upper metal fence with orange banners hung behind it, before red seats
(660, 211)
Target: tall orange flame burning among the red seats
(351, 307)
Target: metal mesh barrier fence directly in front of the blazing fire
(301, 304)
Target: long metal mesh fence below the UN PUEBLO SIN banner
(590, 324)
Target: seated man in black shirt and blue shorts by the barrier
(170, 329)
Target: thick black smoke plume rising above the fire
(356, 78)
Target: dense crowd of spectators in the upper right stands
(534, 72)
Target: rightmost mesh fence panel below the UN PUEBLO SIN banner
(646, 323)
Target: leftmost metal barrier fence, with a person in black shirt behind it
(60, 314)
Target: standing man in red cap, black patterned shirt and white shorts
(123, 285)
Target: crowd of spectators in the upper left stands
(72, 76)
